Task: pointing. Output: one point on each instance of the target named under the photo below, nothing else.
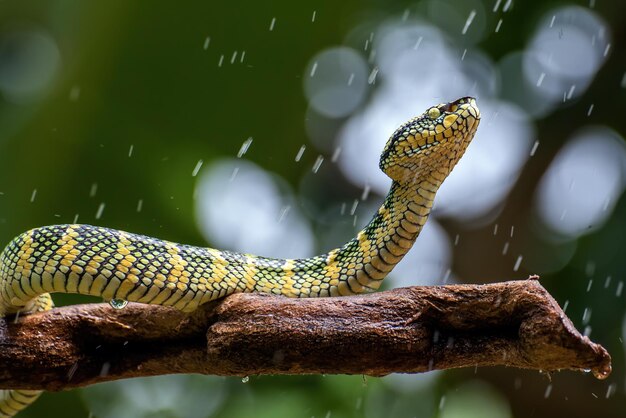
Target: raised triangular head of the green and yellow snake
(428, 146)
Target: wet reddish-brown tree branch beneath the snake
(407, 330)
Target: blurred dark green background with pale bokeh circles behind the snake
(257, 127)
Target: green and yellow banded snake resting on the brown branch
(118, 266)
